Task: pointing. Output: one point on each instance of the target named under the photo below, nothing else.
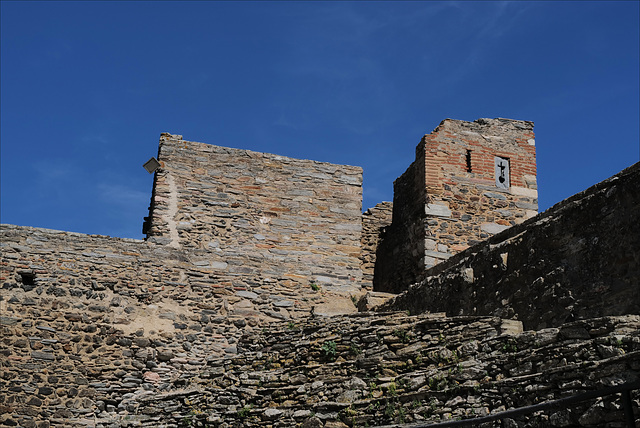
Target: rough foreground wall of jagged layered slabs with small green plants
(378, 369)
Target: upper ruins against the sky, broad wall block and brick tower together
(254, 217)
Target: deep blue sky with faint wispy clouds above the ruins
(87, 88)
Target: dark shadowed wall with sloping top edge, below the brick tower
(580, 259)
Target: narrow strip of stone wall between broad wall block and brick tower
(374, 221)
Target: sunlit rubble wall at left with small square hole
(89, 321)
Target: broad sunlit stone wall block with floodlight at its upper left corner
(258, 218)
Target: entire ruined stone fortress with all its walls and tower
(239, 309)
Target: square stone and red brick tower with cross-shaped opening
(469, 181)
